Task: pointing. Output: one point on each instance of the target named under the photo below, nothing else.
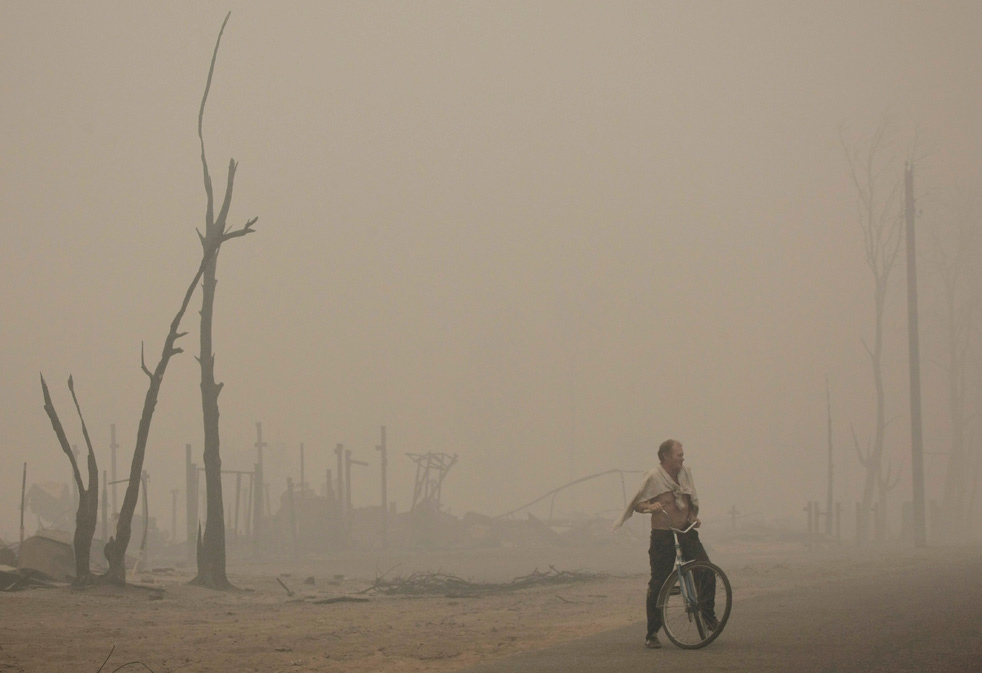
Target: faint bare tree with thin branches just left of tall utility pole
(880, 224)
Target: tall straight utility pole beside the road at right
(913, 339)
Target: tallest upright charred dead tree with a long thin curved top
(211, 554)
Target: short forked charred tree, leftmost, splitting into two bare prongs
(88, 498)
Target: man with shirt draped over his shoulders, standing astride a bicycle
(668, 493)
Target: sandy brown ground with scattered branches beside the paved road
(168, 626)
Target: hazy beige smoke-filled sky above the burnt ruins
(544, 236)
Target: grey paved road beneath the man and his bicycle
(917, 618)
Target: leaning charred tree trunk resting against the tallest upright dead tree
(116, 547)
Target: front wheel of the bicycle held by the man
(695, 604)
